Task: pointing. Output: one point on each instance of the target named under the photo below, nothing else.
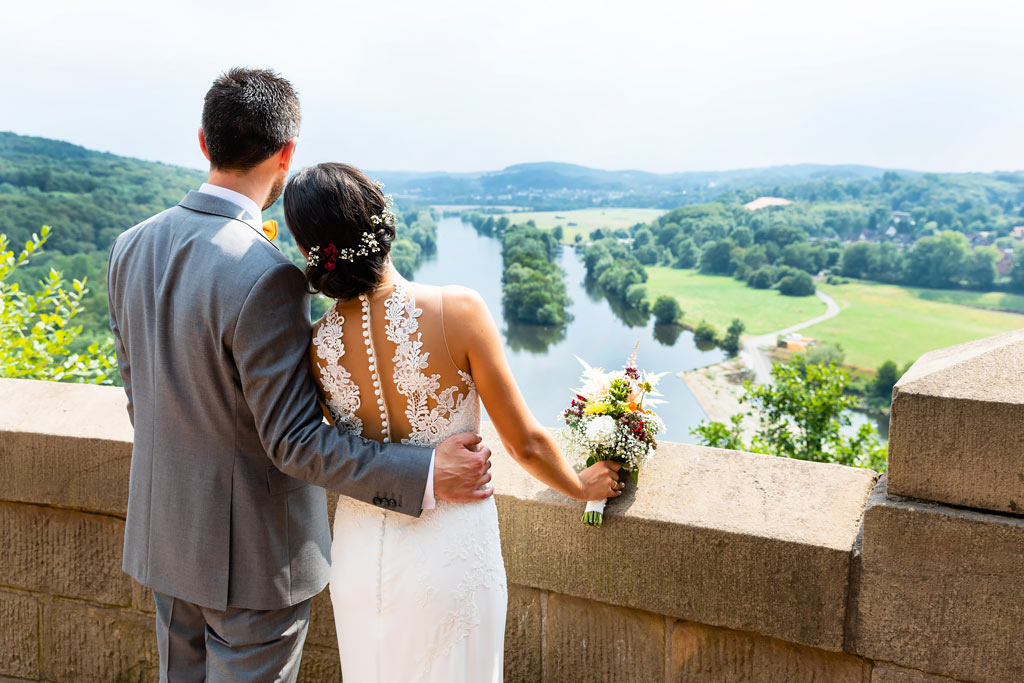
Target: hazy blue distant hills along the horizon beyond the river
(554, 186)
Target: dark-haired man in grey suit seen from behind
(212, 330)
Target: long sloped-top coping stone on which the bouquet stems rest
(736, 540)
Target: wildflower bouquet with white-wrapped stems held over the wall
(610, 419)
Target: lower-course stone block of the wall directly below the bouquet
(590, 642)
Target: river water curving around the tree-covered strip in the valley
(542, 358)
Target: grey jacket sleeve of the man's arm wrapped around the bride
(271, 348)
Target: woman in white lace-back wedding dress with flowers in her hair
(415, 600)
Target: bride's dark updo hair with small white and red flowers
(335, 204)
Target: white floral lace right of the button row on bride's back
(429, 426)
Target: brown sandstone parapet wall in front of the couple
(722, 567)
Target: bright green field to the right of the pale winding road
(887, 322)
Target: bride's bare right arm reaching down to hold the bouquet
(478, 346)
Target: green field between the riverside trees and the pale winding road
(718, 301)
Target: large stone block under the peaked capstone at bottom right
(943, 590)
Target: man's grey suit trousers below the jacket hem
(199, 645)
